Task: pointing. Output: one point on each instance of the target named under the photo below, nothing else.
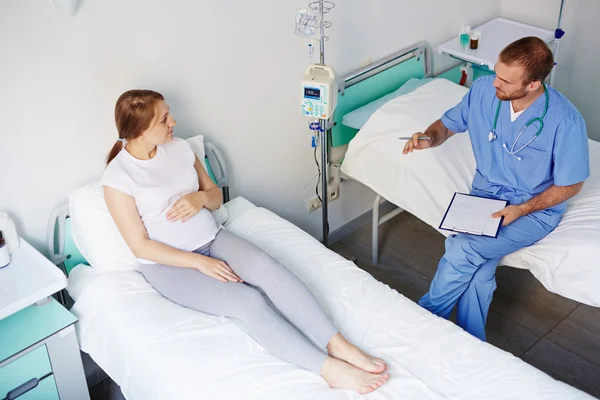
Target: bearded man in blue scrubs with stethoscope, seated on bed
(530, 146)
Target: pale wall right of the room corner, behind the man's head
(579, 55)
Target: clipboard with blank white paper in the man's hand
(471, 214)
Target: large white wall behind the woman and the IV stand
(229, 70)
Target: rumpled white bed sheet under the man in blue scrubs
(566, 262)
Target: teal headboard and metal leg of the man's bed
(365, 85)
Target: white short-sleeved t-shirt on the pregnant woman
(156, 184)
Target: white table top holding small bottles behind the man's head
(495, 35)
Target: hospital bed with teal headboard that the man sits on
(407, 100)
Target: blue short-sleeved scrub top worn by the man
(559, 155)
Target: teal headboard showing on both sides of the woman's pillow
(63, 251)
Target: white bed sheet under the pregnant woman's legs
(155, 349)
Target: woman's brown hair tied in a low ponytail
(134, 112)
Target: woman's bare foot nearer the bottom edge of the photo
(341, 375)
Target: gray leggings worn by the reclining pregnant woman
(280, 335)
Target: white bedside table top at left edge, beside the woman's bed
(29, 278)
